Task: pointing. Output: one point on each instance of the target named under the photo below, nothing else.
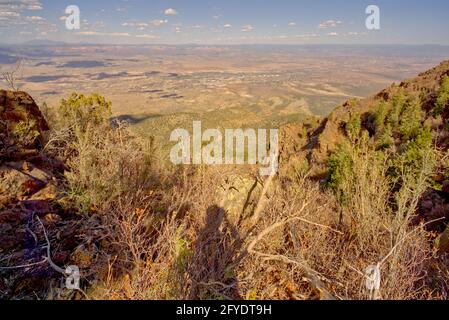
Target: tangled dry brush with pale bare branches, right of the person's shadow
(325, 245)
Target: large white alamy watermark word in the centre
(235, 146)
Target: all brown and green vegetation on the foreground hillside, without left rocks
(153, 231)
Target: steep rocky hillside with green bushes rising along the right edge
(400, 122)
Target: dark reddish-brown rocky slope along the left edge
(30, 213)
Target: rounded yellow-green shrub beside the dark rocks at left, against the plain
(108, 163)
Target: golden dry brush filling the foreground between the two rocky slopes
(169, 236)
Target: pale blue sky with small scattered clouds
(226, 21)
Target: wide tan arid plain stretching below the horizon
(160, 88)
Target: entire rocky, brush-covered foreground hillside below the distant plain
(363, 189)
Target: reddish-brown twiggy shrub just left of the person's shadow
(141, 263)
